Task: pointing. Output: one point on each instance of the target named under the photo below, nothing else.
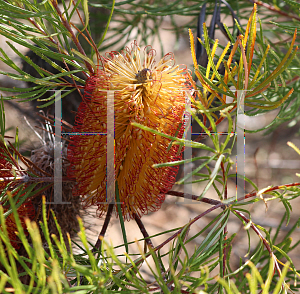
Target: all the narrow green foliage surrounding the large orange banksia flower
(253, 64)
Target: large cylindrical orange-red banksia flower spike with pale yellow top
(150, 93)
